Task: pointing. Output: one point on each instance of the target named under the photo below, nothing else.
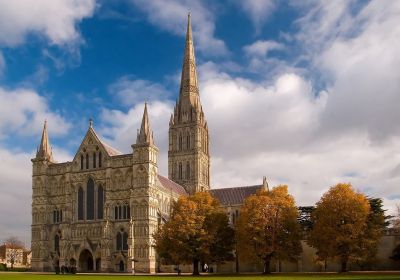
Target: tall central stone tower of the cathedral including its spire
(188, 154)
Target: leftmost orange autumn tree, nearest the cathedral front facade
(197, 231)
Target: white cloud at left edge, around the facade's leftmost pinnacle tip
(23, 111)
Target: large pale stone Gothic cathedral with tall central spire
(99, 211)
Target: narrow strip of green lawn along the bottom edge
(296, 276)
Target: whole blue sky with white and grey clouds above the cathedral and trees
(306, 93)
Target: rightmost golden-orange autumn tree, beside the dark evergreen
(339, 222)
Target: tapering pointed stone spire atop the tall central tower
(189, 90)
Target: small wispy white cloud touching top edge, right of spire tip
(257, 11)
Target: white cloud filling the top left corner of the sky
(54, 19)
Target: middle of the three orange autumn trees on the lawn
(267, 227)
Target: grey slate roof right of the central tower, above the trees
(234, 196)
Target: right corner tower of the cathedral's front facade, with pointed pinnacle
(144, 200)
